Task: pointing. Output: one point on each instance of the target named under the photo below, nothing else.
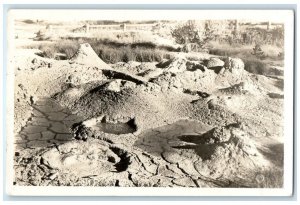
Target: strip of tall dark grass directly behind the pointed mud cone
(109, 51)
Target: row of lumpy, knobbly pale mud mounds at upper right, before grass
(194, 75)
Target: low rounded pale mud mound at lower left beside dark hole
(81, 159)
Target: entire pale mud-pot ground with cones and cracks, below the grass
(206, 123)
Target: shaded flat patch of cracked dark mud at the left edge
(48, 126)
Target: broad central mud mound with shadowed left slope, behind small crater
(120, 99)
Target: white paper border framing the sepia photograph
(113, 191)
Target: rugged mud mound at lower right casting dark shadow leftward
(225, 152)
